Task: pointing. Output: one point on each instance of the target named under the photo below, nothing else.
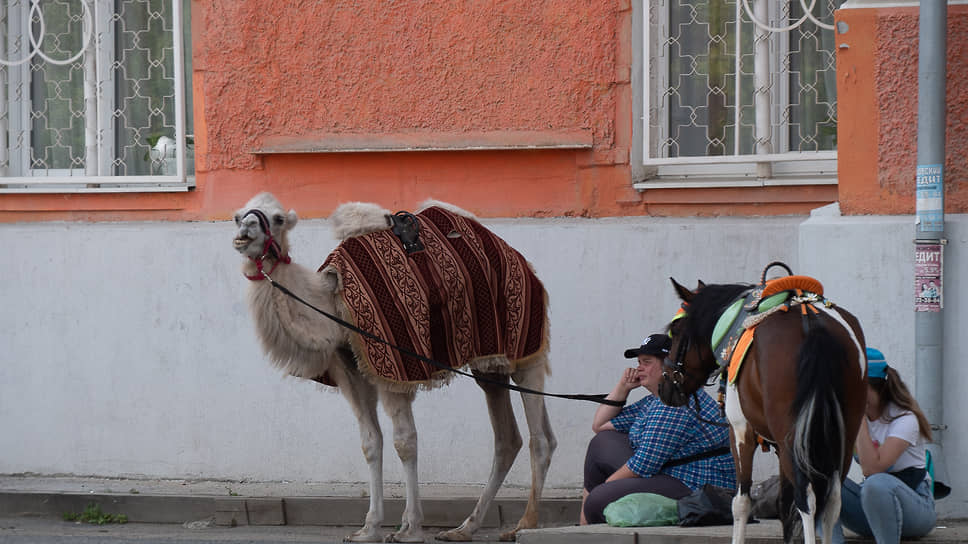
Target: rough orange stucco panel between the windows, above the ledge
(376, 67)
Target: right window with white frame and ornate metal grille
(728, 103)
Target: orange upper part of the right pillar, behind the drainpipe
(877, 88)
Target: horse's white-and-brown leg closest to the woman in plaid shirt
(743, 441)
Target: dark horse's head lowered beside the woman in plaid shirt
(687, 367)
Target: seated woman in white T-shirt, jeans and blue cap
(895, 498)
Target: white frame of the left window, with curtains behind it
(99, 99)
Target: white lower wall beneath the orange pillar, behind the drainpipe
(872, 260)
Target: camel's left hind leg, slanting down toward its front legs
(507, 443)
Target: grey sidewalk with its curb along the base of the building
(227, 504)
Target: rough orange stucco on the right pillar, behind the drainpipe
(896, 74)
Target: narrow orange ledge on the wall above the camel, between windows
(497, 140)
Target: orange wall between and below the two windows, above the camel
(266, 69)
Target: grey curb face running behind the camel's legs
(233, 511)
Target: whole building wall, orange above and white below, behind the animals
(127, 346)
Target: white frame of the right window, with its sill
(762, 169)
